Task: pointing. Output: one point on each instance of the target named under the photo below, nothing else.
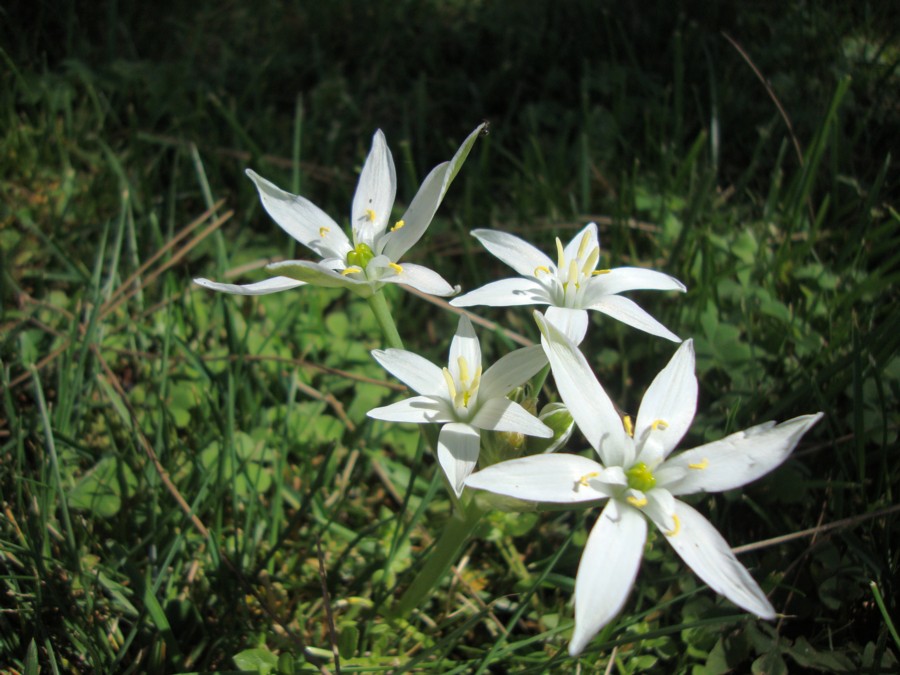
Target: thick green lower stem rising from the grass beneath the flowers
(442, 556)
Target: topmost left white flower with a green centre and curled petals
(372, 258)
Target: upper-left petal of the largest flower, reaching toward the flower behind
(591, 408)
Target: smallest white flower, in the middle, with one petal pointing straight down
(461, 398)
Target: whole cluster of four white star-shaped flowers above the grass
(635, 469)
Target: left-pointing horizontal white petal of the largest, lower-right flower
(558, 479)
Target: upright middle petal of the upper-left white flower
(375, 192)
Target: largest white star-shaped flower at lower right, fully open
(641, 482)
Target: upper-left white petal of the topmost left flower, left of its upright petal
(302, 219)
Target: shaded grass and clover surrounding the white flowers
(186, 477)
